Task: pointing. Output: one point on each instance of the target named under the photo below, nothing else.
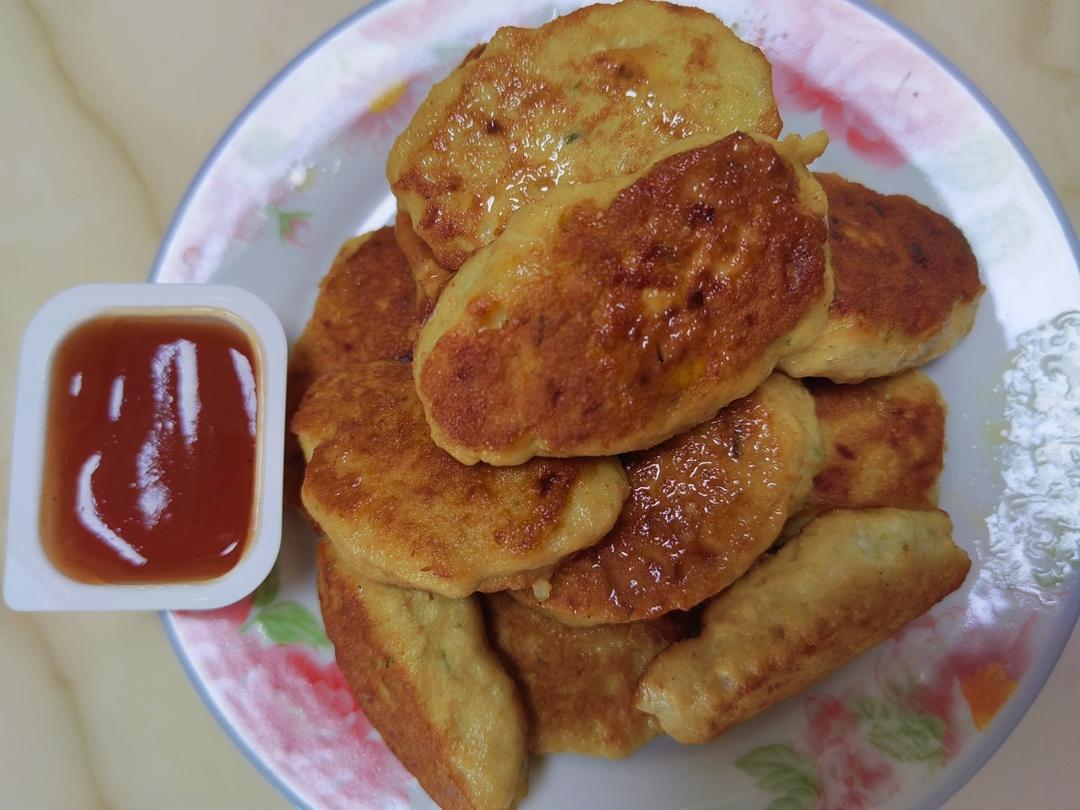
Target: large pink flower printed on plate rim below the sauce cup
(295, 710)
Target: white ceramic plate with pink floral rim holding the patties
(911, 722)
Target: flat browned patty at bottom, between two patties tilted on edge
(578, 683)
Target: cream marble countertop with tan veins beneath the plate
(110, 109)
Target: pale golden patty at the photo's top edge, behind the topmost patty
(590, 96)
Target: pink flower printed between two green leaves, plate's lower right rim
(854, 775)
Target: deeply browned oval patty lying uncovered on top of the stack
(613, 316)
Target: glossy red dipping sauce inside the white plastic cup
(151, 458)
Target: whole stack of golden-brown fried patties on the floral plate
(573, 489)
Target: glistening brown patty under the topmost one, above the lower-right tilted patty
(704, 507)
